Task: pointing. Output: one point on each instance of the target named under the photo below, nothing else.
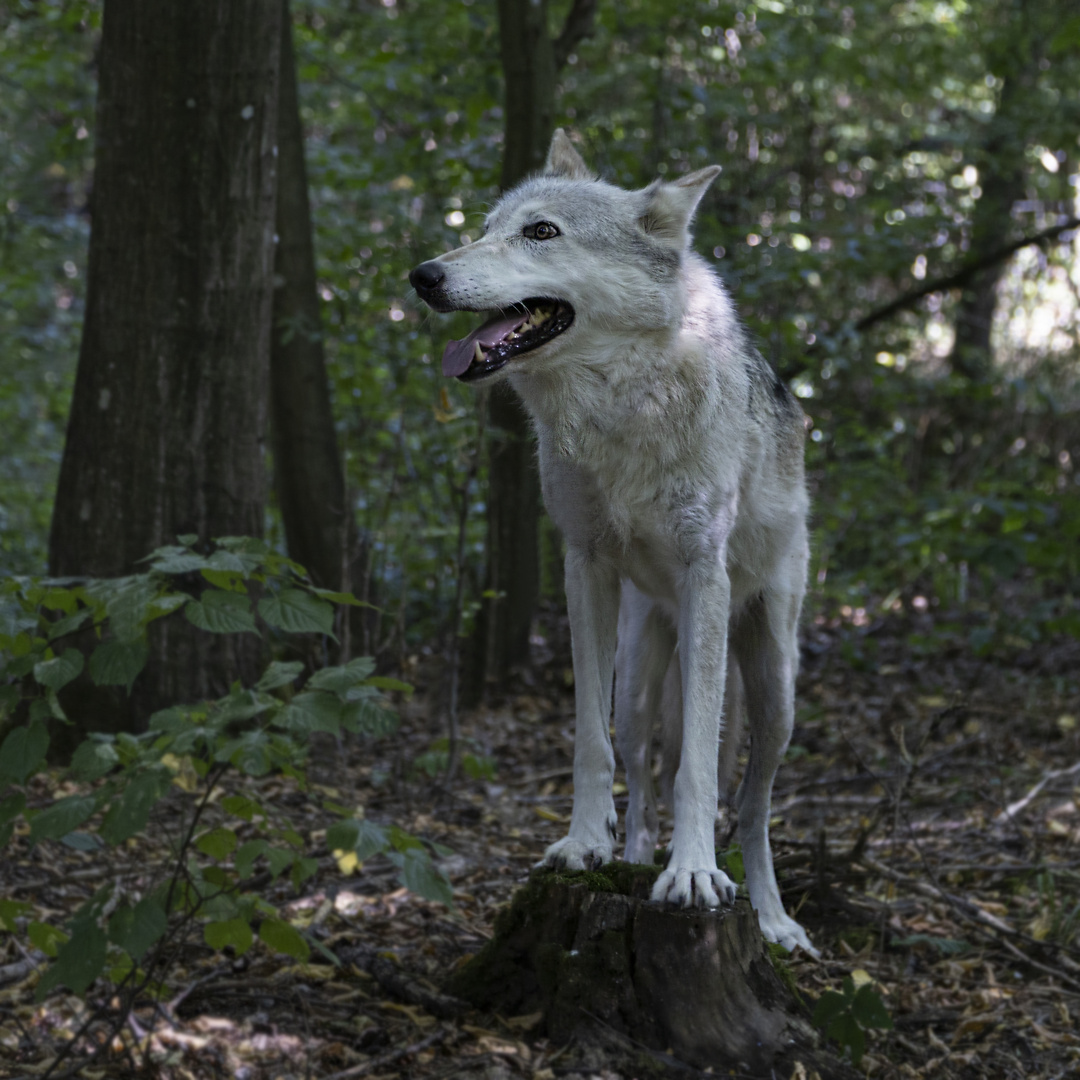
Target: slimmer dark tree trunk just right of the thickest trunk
(308, 476)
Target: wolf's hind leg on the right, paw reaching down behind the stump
(765, 643)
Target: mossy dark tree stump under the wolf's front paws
(653, 985)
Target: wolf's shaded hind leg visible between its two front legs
(644, 655)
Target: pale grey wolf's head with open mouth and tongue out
(565, 256)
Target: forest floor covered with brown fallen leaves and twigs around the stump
(926, 829)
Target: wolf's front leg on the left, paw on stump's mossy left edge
(592, 598)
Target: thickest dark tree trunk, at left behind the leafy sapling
(168, 422)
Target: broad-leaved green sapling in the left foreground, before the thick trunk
(187, 768)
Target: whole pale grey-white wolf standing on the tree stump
(672, 461)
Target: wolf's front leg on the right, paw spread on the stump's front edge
(692, 879)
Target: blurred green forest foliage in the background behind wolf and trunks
(858, 144)
